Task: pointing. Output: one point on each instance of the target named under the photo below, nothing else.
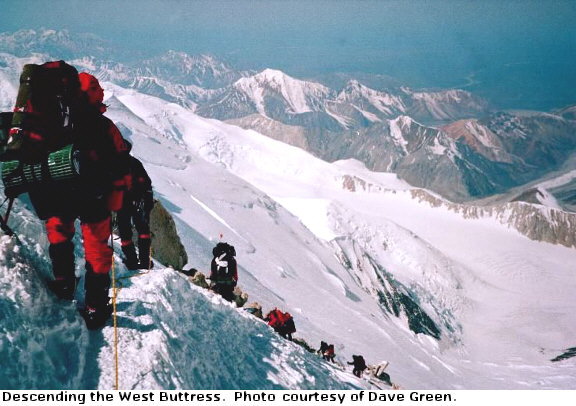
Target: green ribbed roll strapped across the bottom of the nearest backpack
(59, 166)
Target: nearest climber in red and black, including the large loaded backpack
(60, 113)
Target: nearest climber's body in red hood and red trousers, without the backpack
(103, 156)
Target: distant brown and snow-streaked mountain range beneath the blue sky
(449, 141)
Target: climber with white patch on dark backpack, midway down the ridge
(224, 270)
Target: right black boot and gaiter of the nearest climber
(98, 308)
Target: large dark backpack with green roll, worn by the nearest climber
(45, 117)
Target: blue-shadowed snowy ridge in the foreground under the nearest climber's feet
(46, 345)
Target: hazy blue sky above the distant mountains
(504, 49)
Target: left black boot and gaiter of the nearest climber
(63, 268)
